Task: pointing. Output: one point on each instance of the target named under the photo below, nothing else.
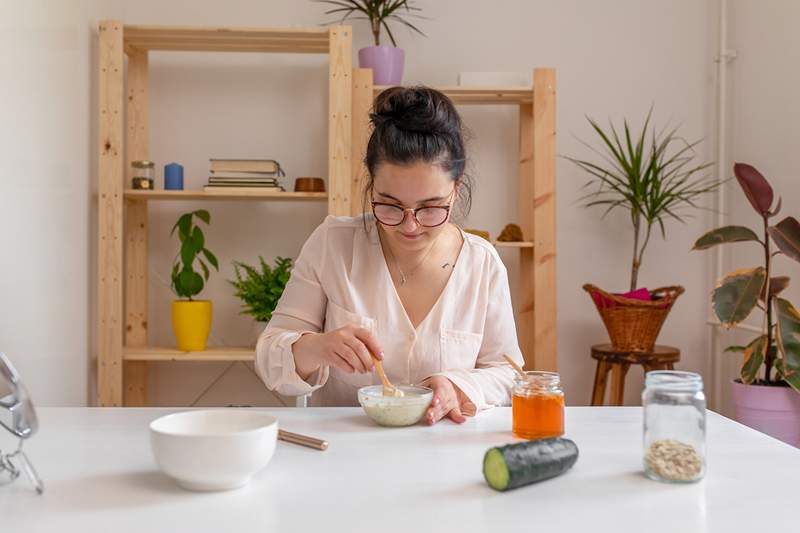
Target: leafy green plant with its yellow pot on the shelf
(191, 319)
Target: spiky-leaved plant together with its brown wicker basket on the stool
(652, 176)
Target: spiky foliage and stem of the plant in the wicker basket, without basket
(654, 181)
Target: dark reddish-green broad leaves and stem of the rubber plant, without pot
(774, 356)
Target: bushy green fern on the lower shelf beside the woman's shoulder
(259, 288)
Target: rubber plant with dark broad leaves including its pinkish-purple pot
(763, 394)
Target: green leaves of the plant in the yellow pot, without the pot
(185, 281)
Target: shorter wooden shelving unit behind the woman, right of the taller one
(536, 320)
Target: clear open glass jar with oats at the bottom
(674, 426)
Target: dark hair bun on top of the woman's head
(416, 110)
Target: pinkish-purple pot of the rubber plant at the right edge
(771, 410)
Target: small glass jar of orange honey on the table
(537, 406)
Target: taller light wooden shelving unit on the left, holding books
(122, 344)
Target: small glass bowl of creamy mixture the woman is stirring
(395, 411)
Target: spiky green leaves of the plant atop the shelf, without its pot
(377, 12)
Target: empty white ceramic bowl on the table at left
(218, 449)
